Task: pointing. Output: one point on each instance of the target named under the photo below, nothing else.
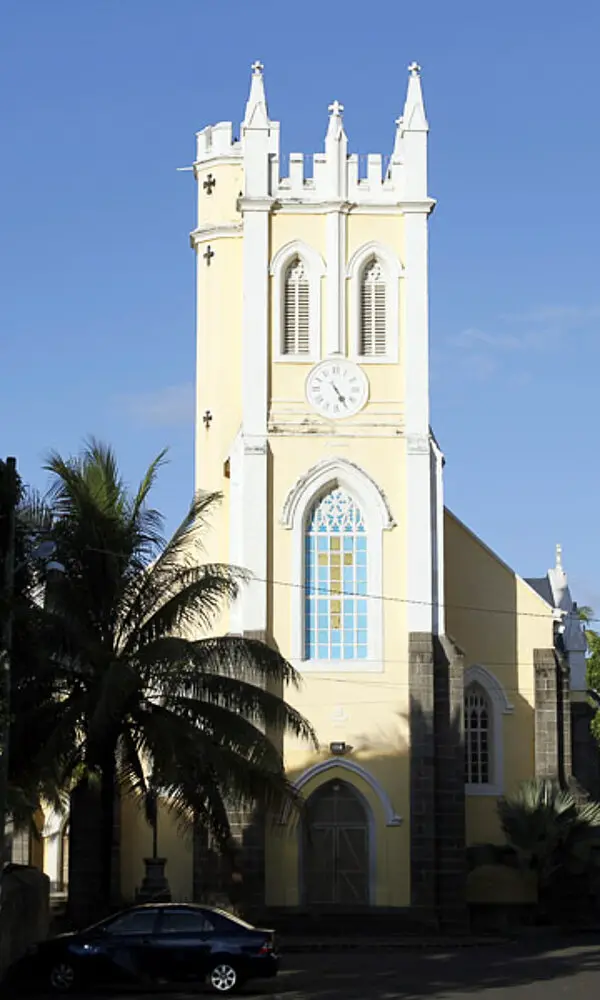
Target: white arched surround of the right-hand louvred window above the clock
(392, 270)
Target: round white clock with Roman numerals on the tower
(337, 388)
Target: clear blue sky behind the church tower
(99, 104)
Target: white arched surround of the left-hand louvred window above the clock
(315, 270)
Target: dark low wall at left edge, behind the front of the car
(25, 912)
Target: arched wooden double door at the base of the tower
(336, 848)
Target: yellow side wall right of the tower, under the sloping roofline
(498, 621)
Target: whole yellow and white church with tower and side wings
(436, 677)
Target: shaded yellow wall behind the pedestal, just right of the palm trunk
(136, 844)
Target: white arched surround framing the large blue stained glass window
(309, 488)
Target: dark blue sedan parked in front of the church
(156, 943)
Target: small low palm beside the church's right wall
(550, 831)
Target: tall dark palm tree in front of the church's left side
(148, 688)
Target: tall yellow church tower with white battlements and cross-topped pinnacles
(312, 402)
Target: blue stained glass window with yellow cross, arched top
(336, 580)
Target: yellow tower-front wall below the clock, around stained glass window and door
(367, 710)
